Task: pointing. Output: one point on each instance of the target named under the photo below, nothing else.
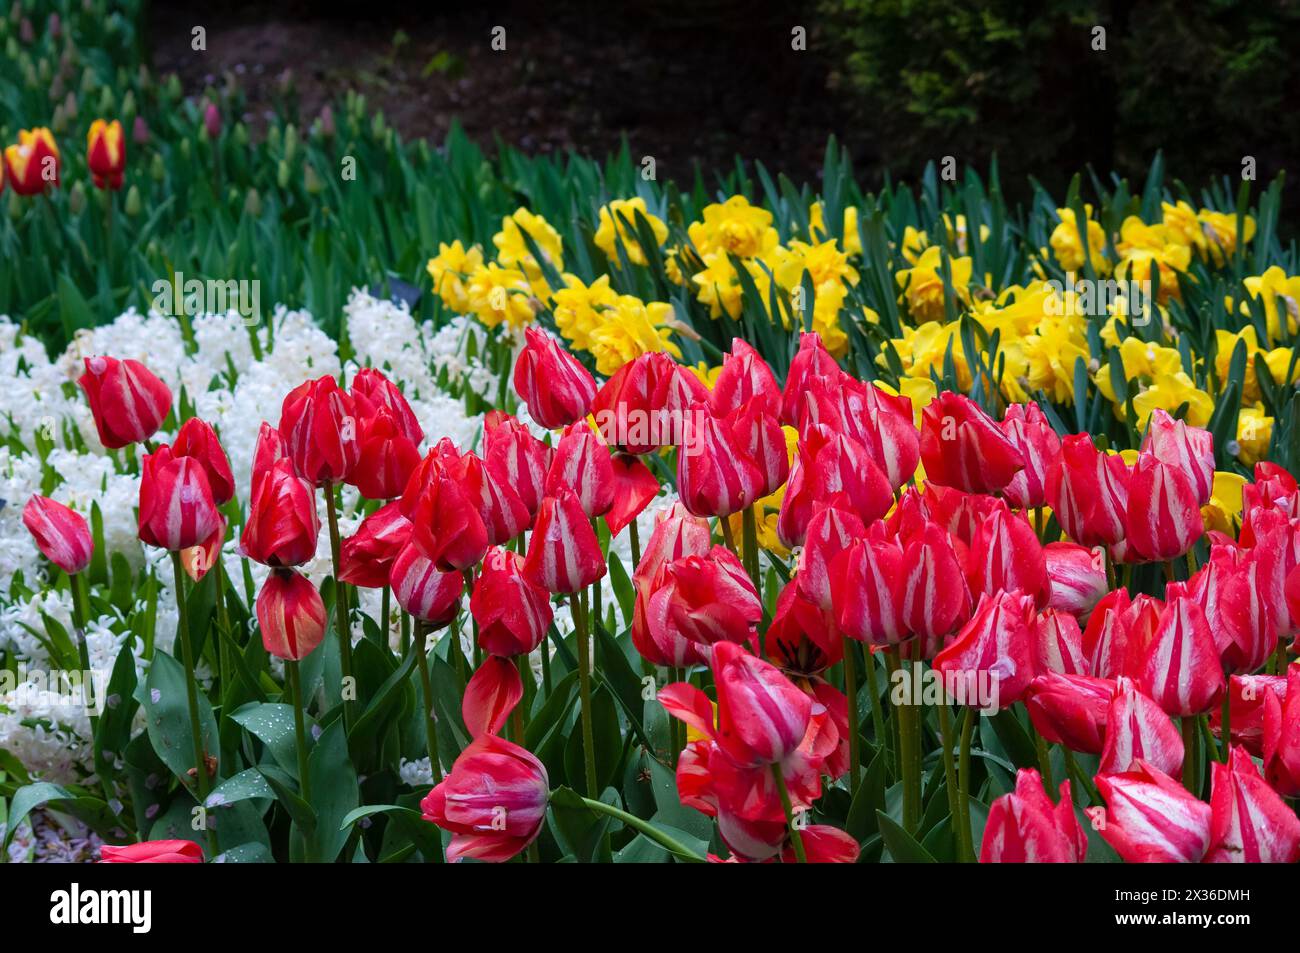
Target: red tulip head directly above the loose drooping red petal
(512, 610)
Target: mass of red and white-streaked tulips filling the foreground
(963, 575)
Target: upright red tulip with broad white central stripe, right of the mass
(1182, 670)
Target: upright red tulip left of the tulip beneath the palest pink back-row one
(1089, 492)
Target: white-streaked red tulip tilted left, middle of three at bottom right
(1152, 820)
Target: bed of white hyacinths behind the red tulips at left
(235, 376)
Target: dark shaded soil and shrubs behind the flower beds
(902, 83)
